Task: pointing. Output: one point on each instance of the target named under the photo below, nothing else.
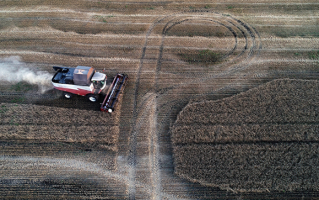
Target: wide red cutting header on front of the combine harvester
(113, 93)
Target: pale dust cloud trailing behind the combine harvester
(14, 71)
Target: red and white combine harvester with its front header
(85, 81)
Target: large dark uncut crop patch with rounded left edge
(265, 139)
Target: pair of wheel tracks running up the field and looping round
(155, 149)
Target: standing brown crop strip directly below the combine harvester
(53, 124)
